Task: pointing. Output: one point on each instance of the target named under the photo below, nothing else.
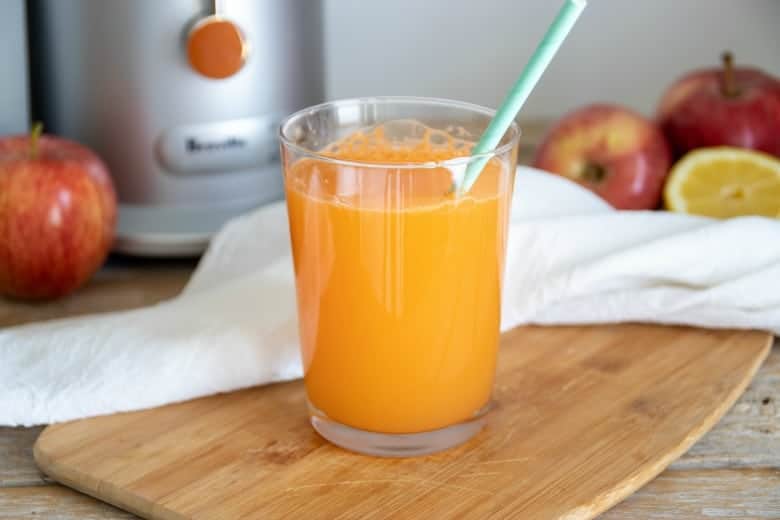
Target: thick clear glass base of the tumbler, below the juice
(396, 444)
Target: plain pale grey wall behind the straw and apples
(624, 51)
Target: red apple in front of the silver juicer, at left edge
(57, 216)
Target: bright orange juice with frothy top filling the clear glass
(398, 281)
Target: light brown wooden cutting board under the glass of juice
(584, 416)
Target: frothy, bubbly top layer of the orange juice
(372, 180)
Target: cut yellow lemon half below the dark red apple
(725, 182)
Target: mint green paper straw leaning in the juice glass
(522, 88)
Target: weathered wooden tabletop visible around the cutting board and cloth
(733, 472)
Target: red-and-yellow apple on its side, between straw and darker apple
(614, 152)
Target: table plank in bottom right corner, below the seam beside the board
(704, 494)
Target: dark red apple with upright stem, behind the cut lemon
(729, 106)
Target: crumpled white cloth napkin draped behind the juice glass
(571, 259)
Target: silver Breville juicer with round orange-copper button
(181, 98)
